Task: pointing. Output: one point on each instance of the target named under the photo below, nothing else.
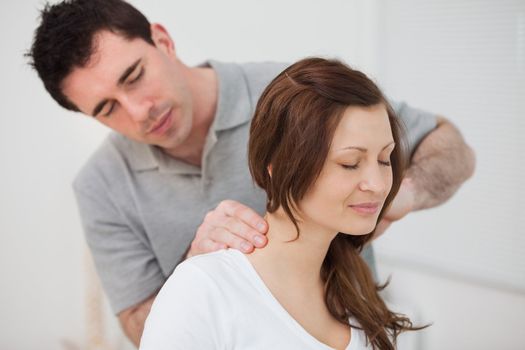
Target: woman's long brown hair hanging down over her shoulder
(292, 130)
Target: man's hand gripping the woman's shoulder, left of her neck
(232, 225)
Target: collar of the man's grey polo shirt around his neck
(234, 108)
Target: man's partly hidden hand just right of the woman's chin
(402, 204)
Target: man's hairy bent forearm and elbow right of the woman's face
(440, 164)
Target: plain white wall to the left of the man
(41, 249)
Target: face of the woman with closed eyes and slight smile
(356, 176)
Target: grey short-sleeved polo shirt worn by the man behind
(140, 208)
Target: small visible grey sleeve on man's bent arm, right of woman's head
(416, 122)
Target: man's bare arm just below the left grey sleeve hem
(132, 319)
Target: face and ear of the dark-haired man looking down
(136, 89)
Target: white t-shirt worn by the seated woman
(218, 301)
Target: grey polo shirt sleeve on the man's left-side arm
(126, 265)
